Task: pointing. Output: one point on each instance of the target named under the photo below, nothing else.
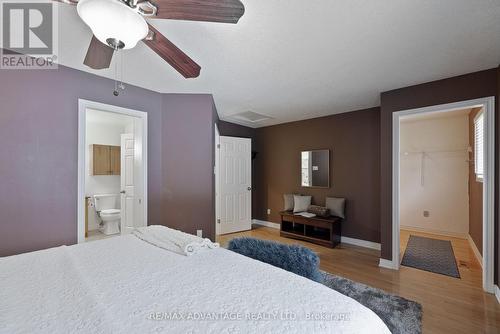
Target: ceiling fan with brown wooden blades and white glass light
(121, 24)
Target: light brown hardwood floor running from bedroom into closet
(450, 305)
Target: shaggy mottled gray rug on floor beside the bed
(402, 316)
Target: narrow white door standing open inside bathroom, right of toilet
(127, 183)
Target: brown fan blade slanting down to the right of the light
(172, 54)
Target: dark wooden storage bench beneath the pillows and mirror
(325, 231)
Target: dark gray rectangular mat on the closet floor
(431, 255)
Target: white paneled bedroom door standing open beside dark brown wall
(235, 184)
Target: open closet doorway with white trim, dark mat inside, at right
(443, 190)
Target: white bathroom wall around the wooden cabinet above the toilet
(103, 128)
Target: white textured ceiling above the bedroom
(297, 59)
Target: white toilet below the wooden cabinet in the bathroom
(106, 206)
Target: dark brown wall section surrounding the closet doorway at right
(459, 88)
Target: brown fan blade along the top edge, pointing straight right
(225, 11)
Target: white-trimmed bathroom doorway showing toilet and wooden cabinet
(112, 170)
